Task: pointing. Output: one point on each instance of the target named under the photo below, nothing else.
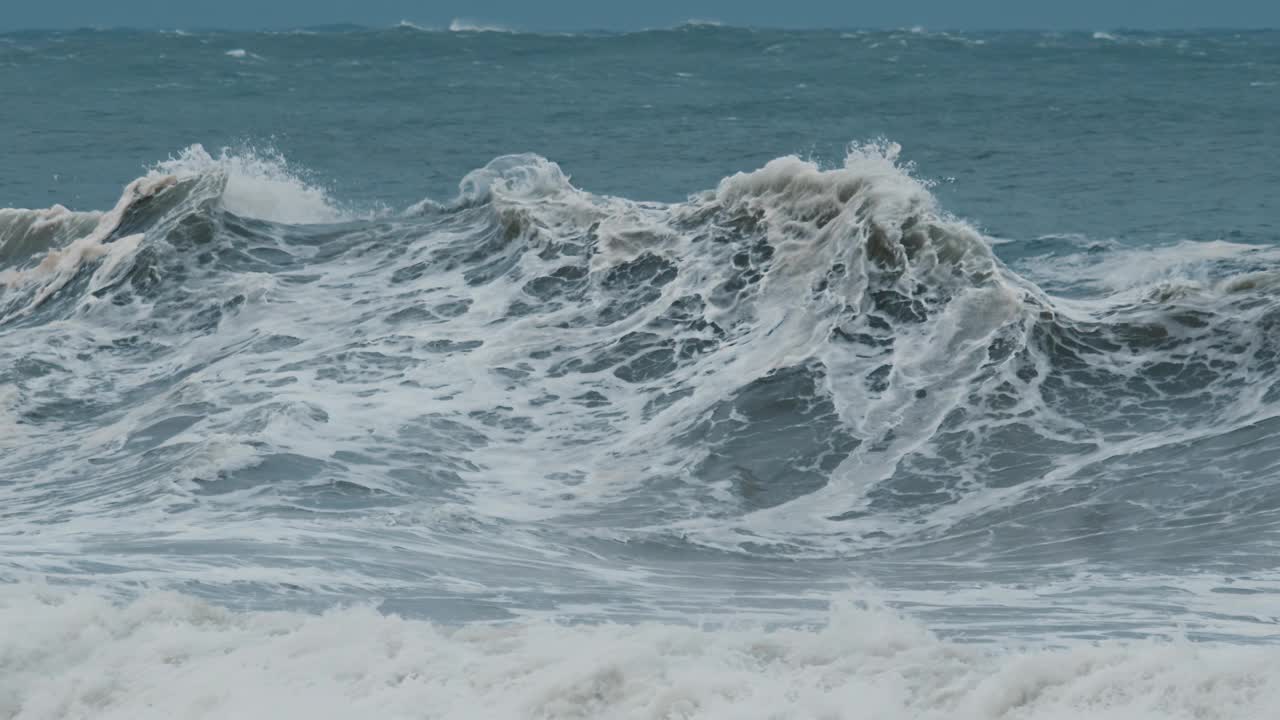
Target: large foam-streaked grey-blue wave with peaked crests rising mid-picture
(804, 362)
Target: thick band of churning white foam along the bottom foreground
(71, 657)
